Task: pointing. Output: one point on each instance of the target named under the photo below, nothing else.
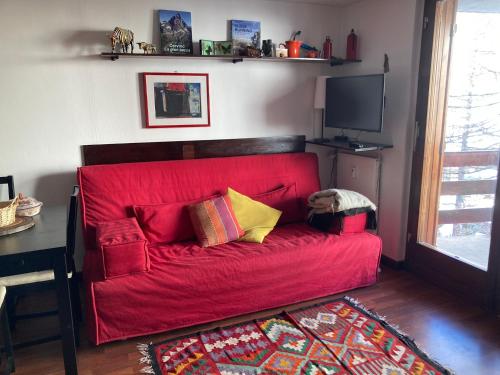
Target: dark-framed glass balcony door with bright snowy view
(451, 235)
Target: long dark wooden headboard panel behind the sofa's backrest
(157, 151)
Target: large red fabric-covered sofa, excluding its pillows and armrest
(185, 284)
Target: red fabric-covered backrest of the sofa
(108, 192)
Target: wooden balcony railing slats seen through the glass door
(468, 159)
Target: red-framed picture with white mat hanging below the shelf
(176, 100)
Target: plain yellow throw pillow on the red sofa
(255, 218)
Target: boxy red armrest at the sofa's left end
(123, 248)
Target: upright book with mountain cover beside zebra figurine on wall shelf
(176, 34)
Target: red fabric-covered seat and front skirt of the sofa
(188, 284)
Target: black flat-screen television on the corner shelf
(355, 103)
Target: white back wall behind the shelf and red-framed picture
(56, 95)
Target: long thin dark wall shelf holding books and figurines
(335, 61)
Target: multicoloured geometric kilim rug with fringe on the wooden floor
(337, 337)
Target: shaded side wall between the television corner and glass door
(392, 27)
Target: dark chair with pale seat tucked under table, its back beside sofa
(22, 284)
